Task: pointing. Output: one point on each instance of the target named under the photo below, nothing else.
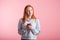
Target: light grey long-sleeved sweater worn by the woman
(29, 34)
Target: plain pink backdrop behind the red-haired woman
(48, 11)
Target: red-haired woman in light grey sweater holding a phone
(28, 26)
